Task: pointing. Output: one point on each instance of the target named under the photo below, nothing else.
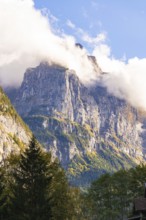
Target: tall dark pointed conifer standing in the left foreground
(32, 184)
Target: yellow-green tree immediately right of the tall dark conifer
(63, 201)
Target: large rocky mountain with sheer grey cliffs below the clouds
(89, 130)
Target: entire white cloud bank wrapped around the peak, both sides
(27, 38)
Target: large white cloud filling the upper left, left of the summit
(27, 38)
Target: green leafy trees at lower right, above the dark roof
(111, 196)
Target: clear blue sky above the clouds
(122, 21)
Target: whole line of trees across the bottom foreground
(35, 187)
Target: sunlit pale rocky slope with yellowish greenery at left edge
(14, 134)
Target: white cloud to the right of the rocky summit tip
(126, 80)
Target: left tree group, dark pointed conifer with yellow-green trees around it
(33, 186)
